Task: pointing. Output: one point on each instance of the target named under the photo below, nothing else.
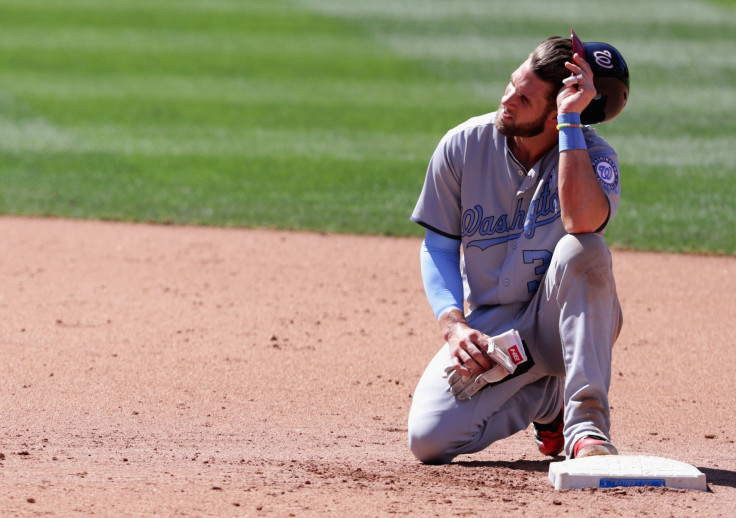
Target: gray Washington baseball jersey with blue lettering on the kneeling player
(507, 218)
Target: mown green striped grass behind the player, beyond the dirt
(322, 114)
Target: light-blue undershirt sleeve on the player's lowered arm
(440, 266)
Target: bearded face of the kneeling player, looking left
(525, 106)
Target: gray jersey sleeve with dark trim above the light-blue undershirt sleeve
(438, 206)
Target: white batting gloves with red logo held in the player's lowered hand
(506, 350)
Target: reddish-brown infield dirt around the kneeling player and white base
(185, 371)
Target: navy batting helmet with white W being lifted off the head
(611, 79)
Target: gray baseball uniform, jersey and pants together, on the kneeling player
(512, 234)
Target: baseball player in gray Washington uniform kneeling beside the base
(514, 205)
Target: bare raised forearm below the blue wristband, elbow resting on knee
(582, 201)
